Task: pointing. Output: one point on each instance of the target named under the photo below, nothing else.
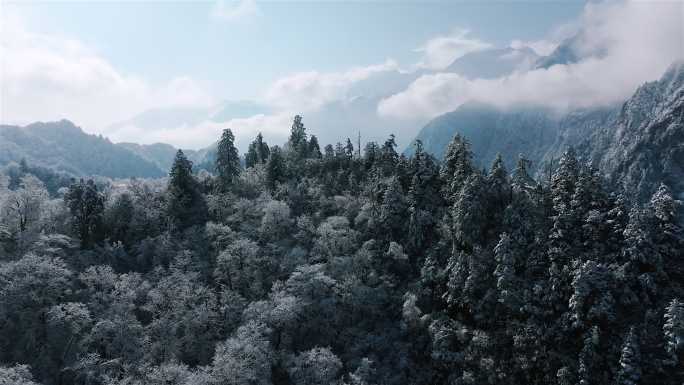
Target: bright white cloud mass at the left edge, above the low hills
(49, 77)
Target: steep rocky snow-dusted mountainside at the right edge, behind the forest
(644, 144)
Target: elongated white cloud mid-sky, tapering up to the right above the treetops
(310, 90)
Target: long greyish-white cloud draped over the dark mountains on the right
(628, 43)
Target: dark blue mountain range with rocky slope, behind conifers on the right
(637, 144)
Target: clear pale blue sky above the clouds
(240, 57)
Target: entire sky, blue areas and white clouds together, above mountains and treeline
(103, 63)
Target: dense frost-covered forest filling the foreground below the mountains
(339, 265)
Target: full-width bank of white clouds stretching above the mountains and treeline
(620, 44)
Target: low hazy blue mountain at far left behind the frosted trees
(63, 146)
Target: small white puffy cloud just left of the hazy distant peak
(441, 51)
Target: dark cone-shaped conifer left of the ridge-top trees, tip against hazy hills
(185, 203)
